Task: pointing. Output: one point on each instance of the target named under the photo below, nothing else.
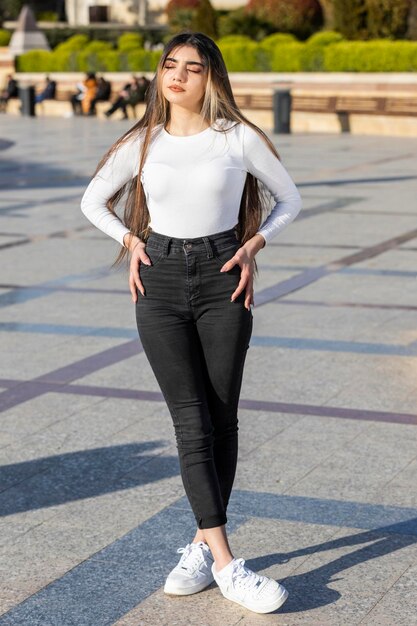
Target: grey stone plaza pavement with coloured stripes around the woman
(91, 500)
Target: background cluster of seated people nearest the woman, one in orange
(97, 89)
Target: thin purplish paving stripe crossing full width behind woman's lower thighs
(251, 405)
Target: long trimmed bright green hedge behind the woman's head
(323, 52)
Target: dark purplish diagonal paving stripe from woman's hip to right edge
(310, 276)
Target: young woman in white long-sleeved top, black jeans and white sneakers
(188, 172)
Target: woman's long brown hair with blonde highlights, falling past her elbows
(218, 102)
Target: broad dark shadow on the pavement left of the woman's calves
(54, 480)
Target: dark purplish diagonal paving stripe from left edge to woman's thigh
(30, 389)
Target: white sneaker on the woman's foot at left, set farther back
(193, 572)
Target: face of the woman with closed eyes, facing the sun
(184, 78)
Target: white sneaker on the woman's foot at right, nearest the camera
(257, 593)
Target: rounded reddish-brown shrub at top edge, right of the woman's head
(300, 17)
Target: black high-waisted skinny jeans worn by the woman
(196, 341)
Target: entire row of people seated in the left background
(91, 90)
